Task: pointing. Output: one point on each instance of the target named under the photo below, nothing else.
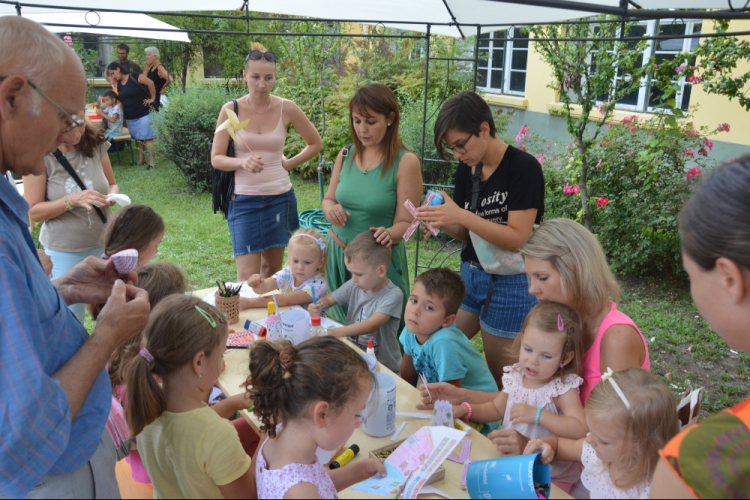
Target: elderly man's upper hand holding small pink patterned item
(91, 282)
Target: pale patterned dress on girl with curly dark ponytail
(275, 483)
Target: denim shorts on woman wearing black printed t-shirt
(503, 314)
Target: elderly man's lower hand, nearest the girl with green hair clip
(124, 316)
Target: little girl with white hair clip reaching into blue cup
(631, 415)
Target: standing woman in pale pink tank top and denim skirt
(263, 208)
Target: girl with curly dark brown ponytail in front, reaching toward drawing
(318, 391)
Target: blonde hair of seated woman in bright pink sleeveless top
(578, 257)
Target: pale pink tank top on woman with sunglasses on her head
(274, 179)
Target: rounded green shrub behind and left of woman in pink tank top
(186, 125)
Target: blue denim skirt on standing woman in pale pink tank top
(257, 223)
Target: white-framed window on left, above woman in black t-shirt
(502, 61)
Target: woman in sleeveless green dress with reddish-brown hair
(369, 185)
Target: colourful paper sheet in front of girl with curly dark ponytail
(423, 452)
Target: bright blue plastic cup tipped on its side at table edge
(508, 477)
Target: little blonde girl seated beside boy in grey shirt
(301, 280)
